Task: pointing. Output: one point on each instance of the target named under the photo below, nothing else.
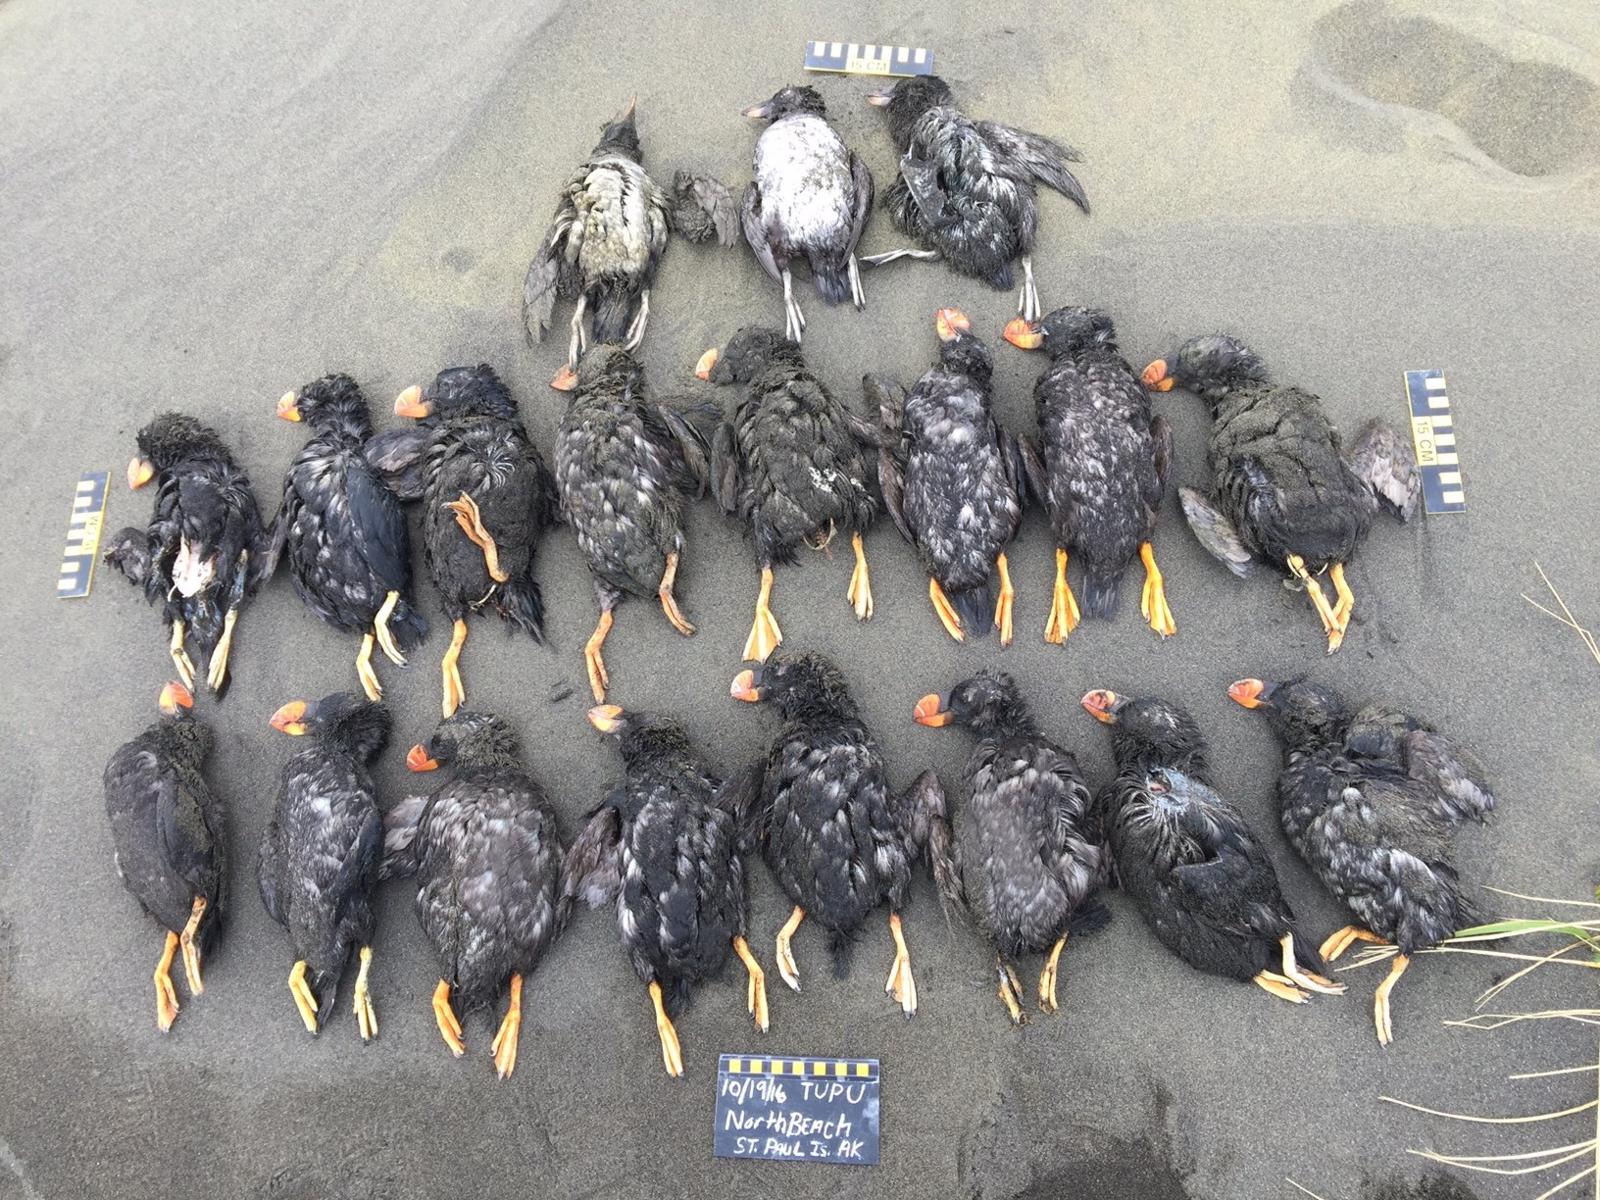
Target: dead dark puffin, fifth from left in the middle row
(791, 465)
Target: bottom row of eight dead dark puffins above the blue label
(1369, 798)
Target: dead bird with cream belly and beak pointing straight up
(609, 234)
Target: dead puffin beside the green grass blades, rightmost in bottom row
(1372, 802)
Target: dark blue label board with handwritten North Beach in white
(798, 1110)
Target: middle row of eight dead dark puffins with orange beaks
(793, 463)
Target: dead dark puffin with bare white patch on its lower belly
(204, 551)
